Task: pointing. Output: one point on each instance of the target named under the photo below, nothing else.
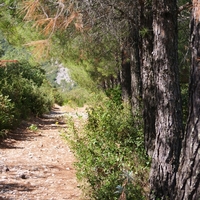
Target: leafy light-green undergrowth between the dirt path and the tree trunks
(109, 153)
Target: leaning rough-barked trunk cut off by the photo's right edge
(188, 179)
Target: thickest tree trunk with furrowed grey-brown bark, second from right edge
(168, 123)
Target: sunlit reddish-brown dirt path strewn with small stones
(38, 165)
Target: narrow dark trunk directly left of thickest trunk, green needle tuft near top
(147, 75)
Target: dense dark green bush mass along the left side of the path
(24, 91)
